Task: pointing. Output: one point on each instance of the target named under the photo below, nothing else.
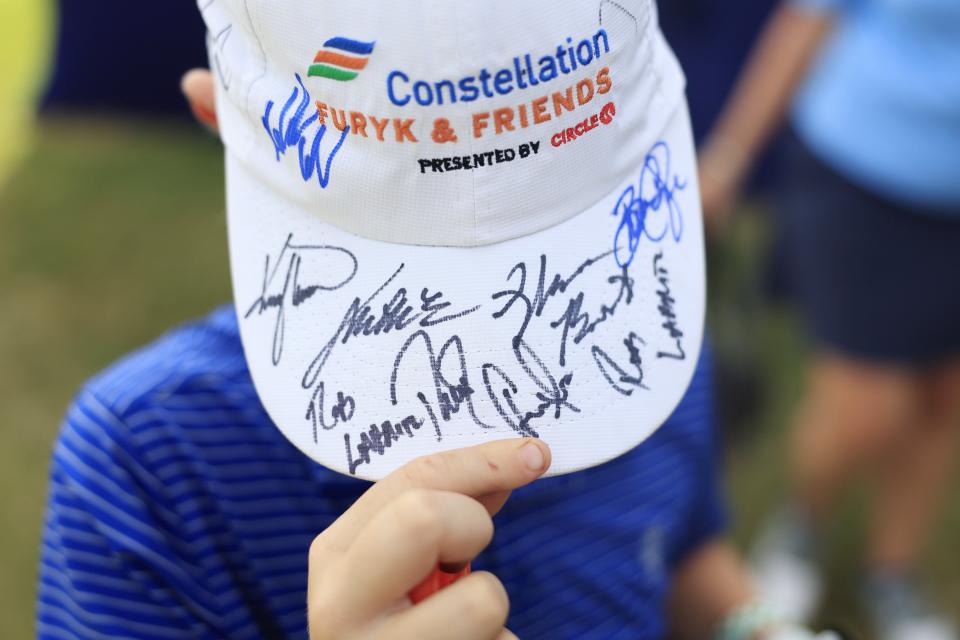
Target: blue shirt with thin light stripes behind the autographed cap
(177, 510)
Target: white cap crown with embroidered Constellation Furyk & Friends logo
(441, 123)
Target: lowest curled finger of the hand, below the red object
(473, 608)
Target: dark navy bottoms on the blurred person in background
(874, 279)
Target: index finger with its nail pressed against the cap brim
(493, 467)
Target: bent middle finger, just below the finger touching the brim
(403, 544)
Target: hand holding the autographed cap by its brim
(436, 509)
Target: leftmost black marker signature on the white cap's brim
(291, 290)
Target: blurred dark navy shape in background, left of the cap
(119, 55)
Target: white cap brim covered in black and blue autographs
(367, 354)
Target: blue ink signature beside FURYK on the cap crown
(292, 132)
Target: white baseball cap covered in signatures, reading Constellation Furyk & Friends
(452, 222)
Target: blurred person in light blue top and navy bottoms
(871, 221)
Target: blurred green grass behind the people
(112, 231)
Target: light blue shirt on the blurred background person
(882, 104)
